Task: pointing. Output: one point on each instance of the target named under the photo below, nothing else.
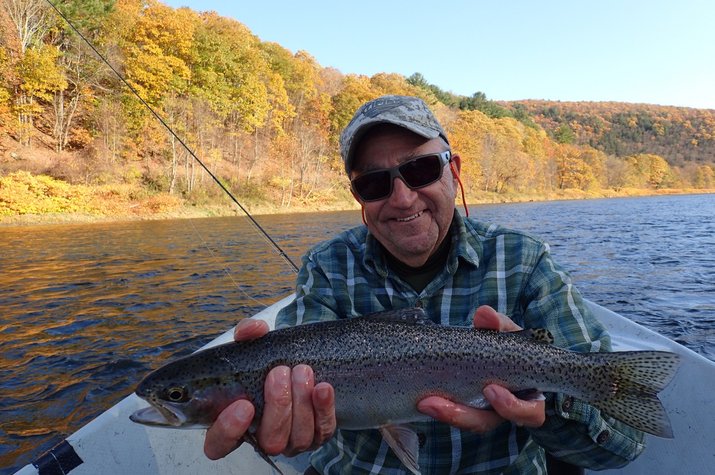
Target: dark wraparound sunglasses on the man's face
(416, 173)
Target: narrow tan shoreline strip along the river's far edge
(195, 212)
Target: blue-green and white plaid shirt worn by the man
(487, 265)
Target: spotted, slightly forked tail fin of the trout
(636, 379)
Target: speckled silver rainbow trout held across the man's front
(382, 364)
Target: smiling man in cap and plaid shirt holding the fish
(416, 250)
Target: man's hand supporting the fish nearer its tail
(506, 405)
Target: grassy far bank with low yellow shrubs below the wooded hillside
(27, 199)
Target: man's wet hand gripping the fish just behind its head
(298, 415)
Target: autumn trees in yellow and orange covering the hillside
(266, 120)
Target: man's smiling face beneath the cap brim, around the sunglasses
(410, 224)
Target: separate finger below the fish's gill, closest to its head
(226, 433)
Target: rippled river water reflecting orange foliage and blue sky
(87, 310)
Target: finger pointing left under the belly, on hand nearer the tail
(460, 416)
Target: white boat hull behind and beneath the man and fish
(112, 444)
